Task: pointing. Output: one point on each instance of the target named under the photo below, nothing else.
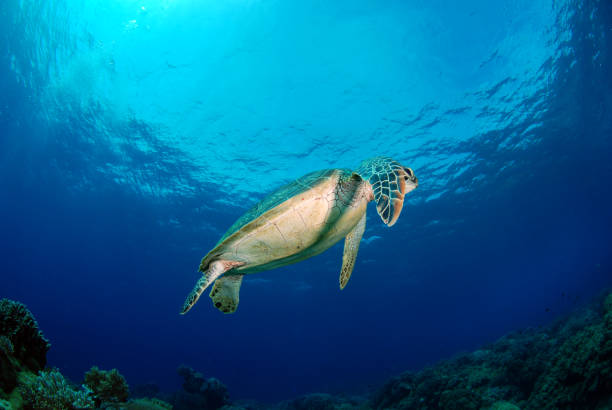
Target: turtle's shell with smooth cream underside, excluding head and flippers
(314, 239)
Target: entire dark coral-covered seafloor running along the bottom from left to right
(566, 365)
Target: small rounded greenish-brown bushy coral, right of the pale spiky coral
(106, 386)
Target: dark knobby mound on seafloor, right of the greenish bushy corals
(199, 392)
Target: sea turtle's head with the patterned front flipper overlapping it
(390, 182)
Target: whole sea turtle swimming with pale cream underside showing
(300, 220)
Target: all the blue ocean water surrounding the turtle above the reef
(134, 133)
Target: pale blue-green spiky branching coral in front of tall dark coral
(50, 390)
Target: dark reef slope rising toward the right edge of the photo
(566, 365)
